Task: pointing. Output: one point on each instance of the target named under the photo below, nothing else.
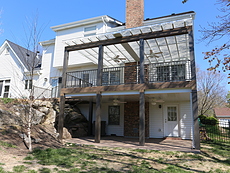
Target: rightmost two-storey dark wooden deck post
(196, 132)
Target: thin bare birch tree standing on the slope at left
(32, 61)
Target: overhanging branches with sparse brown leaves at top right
(219, 56)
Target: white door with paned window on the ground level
(171, 121)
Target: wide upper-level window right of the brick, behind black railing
(171, 73)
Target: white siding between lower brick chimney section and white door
(156, 127)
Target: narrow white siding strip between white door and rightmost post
(185, 120)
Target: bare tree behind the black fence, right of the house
(211, 91)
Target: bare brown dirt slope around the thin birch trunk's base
(14, 155)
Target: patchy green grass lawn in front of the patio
(214, 157)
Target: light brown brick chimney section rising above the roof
(134, 13)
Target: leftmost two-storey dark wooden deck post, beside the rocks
(62, 97)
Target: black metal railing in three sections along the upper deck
(129, 74)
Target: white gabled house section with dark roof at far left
(15, 73)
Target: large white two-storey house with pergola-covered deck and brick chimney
(138, 78)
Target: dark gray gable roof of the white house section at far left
(25, 56)
